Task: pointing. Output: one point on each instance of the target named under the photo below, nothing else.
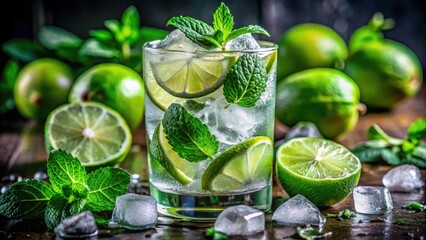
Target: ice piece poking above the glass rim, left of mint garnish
(177, 40)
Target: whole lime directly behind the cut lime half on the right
(326, 97)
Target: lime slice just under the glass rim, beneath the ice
(190, 77)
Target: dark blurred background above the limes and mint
(23, 18)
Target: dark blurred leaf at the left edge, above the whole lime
(23, 49)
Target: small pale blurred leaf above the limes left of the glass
(94, 48)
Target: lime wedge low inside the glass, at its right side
(247, 163)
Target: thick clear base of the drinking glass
(207, 208)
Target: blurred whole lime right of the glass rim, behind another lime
(309, 45)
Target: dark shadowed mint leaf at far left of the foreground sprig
(26, 199)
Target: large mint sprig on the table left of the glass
(72, 190)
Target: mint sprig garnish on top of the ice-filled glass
(210, 37)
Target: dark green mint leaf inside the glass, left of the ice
(188, 136)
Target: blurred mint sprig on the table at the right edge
(394, 151)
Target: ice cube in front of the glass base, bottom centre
(240, 220)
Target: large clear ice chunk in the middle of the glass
(230, 124)
